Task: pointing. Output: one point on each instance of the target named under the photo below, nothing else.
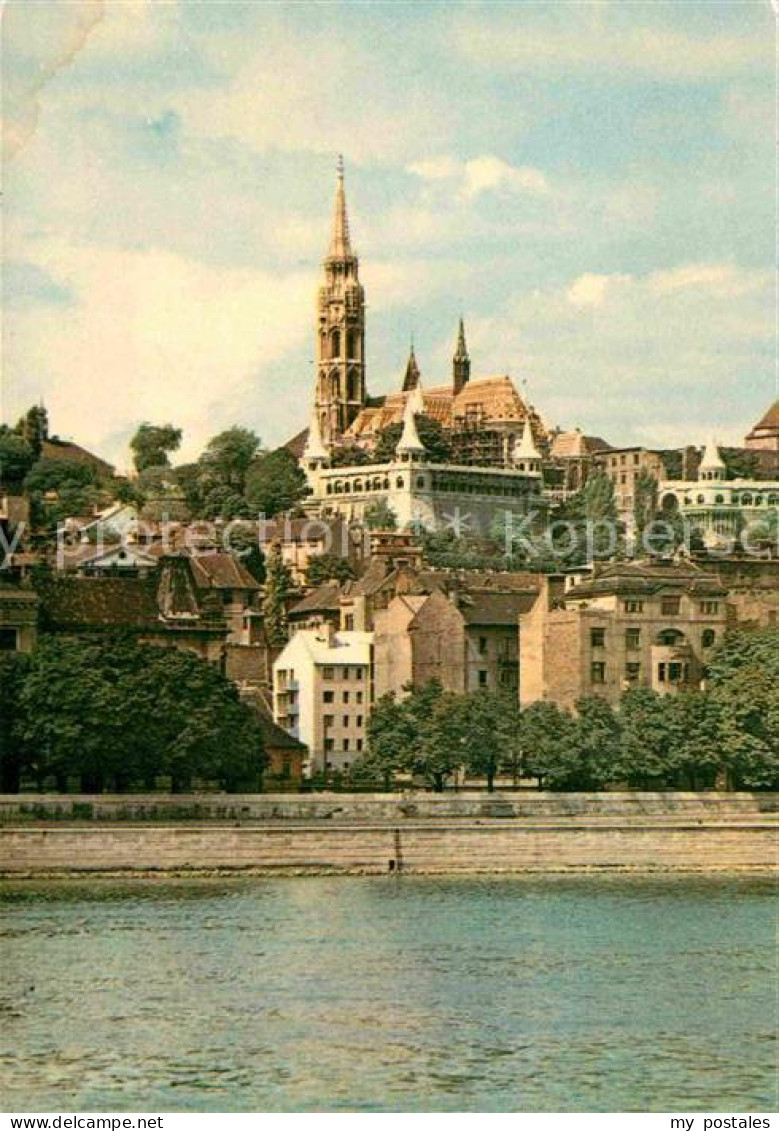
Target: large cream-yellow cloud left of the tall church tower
(152, 336)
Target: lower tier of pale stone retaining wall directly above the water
(414, 848)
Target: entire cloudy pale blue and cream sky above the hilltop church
(592, 185)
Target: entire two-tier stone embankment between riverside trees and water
(376, 834)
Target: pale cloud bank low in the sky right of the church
(670, 355)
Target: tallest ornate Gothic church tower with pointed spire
(341, 330)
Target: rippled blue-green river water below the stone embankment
(389, 995)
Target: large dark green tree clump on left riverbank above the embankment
(117, 713)
